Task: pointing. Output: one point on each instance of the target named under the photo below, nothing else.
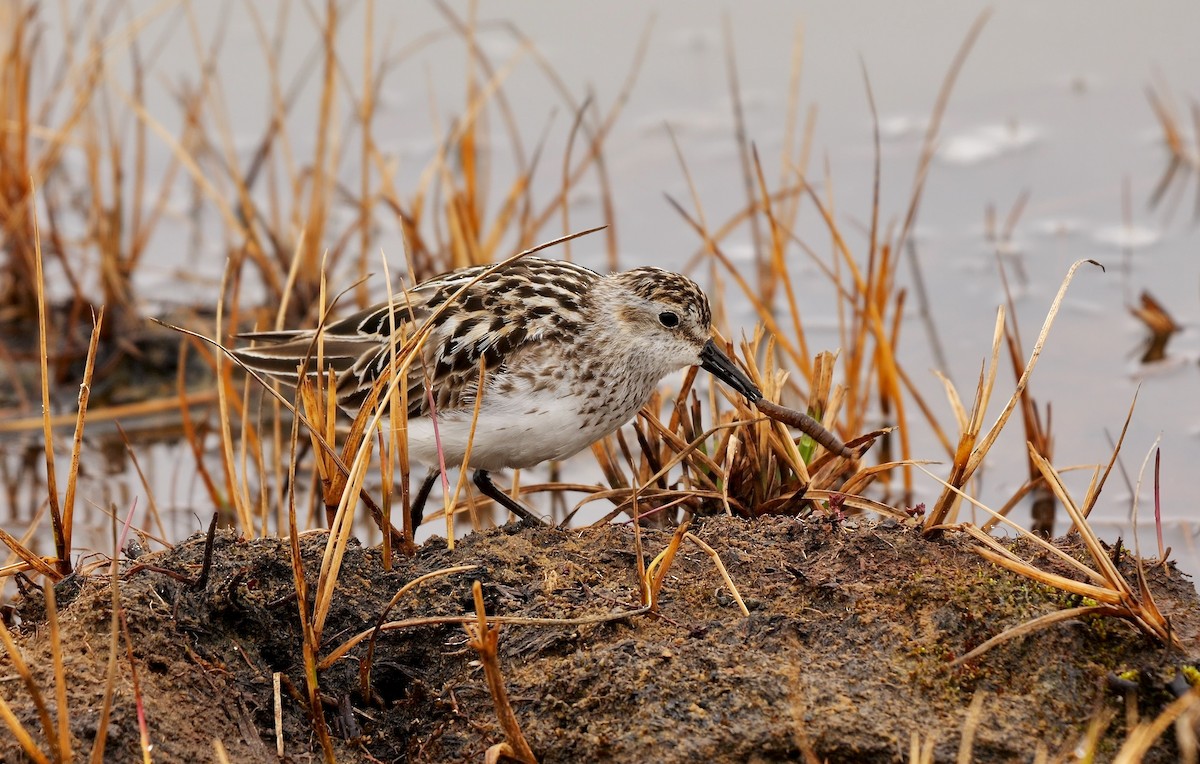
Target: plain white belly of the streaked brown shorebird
(515, 435)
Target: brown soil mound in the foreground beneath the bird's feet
(845, 653)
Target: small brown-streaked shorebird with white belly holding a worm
(569, 357)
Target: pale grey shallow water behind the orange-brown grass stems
(1051, 103)
